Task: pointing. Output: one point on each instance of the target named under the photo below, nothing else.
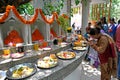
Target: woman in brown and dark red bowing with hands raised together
(105, 47)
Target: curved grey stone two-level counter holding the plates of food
(63, 69)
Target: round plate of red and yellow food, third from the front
(66, 55)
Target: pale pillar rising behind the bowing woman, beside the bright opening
(85, 15)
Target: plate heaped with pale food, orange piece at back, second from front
(47, 62)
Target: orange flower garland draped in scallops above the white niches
(33, 19)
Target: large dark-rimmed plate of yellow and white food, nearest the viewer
(21, 71)
